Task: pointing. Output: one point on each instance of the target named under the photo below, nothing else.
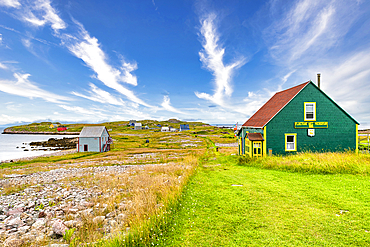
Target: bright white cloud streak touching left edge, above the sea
(25, 88)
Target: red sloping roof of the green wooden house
(273, 106)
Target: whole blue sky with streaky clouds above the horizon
(212, 61)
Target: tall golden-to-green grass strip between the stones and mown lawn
(154, 195)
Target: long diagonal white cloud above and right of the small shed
(88, 49)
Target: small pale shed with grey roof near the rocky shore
(94, 139)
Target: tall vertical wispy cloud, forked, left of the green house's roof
(212, 58)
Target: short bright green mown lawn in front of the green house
(271, 208)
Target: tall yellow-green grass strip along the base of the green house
(314, 163)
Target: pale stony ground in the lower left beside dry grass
(48, 206)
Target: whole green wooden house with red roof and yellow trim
(301, 118)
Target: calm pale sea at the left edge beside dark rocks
(9, 144)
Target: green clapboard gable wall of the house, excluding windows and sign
(339, 136)
